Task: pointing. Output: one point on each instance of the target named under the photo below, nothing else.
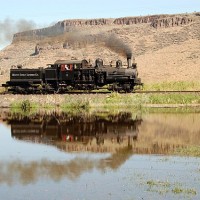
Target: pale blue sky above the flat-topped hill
(46, 12)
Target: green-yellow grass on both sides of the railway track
(113, 100)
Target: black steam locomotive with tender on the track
(68, 75)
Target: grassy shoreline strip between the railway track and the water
(112, 100)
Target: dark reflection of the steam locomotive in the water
(100, 132)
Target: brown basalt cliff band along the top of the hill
(155, 21)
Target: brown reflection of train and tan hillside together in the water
(104, 132)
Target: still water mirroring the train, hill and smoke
(98, 156)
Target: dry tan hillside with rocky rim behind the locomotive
(166, 47)
